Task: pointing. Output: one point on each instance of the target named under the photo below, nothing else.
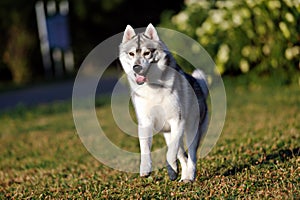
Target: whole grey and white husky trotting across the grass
(166, 99)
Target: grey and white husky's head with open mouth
(140, 53)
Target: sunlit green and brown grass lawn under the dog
(257, 155)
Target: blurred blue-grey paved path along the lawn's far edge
(47, 93)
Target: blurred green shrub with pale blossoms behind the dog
(246, 35)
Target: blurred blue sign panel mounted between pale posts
(58, 32)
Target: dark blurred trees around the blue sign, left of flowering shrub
(91, 21)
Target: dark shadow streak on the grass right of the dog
(279, 156)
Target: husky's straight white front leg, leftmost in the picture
(145, 138)
